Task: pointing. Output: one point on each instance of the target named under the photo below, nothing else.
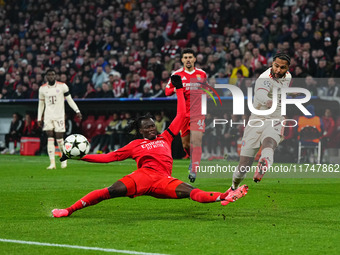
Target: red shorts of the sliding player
(146, 181)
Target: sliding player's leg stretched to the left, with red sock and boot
(118, 189)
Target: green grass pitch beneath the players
(286, 216)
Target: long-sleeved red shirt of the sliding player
(154, 154)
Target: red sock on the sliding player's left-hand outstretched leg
(92, 198)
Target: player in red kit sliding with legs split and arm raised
(154, 163)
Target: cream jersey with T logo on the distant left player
(54, 99)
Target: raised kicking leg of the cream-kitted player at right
(267, 158)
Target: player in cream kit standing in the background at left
(51, 109)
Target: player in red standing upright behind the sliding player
(193, 125)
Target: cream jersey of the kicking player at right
(267, 82)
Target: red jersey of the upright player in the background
(192, 94)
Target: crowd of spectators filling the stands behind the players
(129, 48)
